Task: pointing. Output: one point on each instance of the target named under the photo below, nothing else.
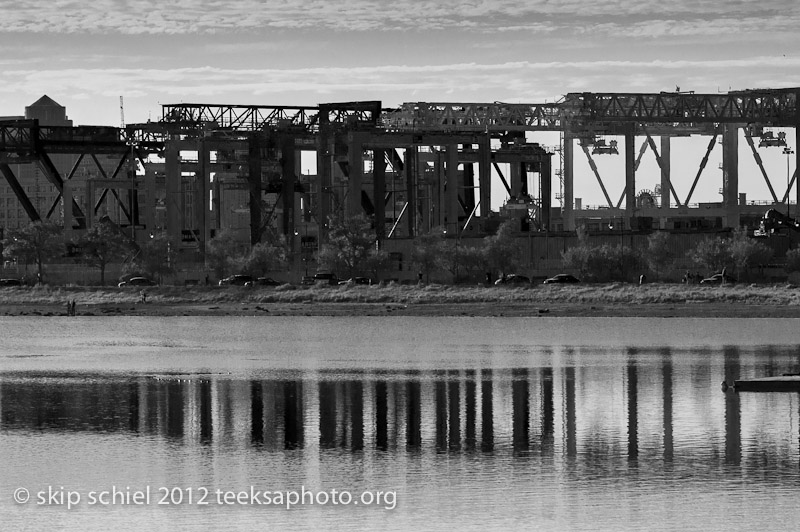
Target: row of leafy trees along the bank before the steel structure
(351, 248)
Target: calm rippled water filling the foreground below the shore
(426, 423)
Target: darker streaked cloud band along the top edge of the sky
(180, 17)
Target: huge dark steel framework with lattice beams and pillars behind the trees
(204, 168)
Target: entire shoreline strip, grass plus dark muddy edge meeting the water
(603, 300)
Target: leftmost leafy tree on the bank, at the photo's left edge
(35, 243)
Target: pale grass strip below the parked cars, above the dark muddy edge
(422, 294)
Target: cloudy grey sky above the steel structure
(85, 55)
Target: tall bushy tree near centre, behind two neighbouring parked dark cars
(350, 242)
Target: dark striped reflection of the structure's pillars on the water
(643, 404)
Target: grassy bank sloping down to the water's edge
(625, 298)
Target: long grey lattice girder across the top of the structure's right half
(595, 111)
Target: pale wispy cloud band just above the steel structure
(552, 79)
